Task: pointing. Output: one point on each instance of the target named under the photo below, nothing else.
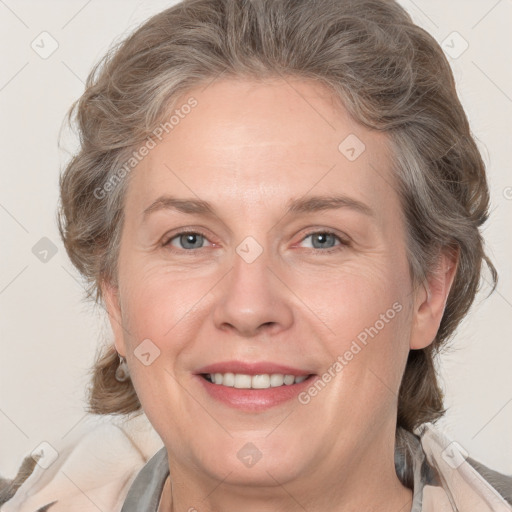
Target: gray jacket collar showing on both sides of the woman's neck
(411, 465)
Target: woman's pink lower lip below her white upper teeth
(254, 399)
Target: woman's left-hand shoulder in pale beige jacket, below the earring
(92, 470)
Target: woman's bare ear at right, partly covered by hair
(430, 300)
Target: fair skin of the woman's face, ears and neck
(248, 148)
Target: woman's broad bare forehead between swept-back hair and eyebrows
(249, 143)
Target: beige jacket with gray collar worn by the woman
(95, 469)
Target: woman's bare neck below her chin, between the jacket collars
(367, 481)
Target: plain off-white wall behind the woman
(49, 334)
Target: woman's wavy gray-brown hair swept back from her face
(390, 75)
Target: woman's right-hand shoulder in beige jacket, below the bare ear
(460, 482)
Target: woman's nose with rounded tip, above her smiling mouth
(253, 300)
